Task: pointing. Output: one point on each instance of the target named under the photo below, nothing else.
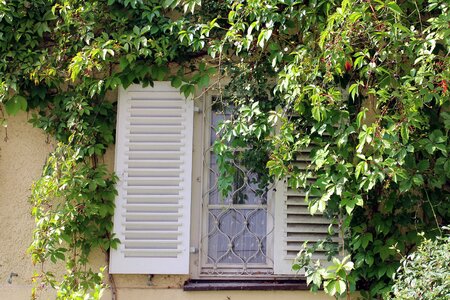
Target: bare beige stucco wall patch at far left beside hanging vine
(23, 151)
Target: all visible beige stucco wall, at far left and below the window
(21, 159)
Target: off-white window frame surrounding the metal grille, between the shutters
(199, 229)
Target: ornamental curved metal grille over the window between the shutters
(237, 236)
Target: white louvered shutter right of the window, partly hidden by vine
(294, 224)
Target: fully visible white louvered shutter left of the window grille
(154, 166)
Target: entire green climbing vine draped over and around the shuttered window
(362, 83)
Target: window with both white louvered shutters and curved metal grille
(166, 179)
